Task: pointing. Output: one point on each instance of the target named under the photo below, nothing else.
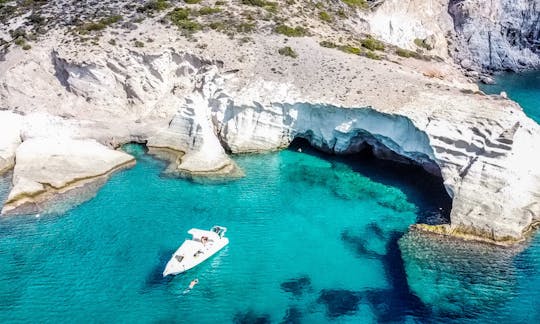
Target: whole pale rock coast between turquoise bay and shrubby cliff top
(193, 100)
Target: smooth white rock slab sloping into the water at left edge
(47, 167)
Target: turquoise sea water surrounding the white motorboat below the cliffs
(313, 239)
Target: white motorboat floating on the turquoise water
(200, 247)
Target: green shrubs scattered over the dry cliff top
(290, 18)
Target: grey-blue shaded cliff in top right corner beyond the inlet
(497, 35)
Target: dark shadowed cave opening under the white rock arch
(422, 188)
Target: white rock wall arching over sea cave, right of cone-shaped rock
(484, 159)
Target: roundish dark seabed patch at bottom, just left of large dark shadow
(339, 302)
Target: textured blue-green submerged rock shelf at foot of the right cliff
(454, 279)
